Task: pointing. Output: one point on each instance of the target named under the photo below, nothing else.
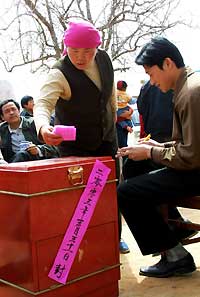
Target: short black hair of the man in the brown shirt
(156, 51)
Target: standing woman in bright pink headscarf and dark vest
(80, 87)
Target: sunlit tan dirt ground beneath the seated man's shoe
(133, 285)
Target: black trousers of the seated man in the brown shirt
(139, 201)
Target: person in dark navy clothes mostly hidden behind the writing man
(156, 116)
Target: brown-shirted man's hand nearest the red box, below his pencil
(136, 152)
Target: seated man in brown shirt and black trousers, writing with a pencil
(140, 197)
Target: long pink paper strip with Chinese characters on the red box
(79, 223)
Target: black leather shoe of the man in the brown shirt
(165, 269)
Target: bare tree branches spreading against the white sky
(34, 30)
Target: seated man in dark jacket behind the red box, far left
(15, 130)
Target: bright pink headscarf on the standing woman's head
(81, 35)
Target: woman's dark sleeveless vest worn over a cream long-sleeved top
(86, 109)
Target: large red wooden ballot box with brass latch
(37, 202)
